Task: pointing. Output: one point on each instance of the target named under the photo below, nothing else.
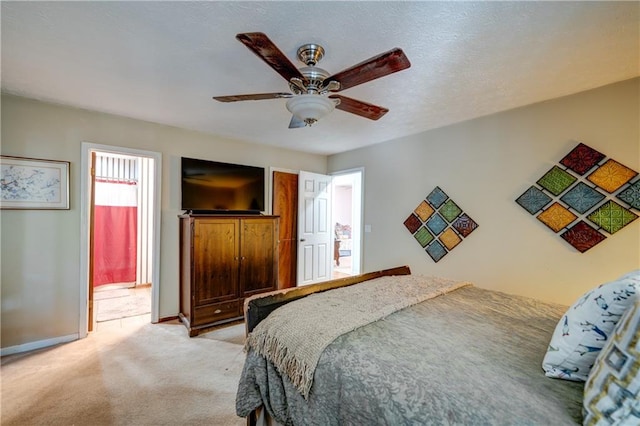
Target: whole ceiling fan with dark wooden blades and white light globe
(313, 88)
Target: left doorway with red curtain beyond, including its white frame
(120, 212)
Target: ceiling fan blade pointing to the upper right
(383, 64)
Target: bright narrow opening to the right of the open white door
(347, 215)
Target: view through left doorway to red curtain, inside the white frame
(120, 231)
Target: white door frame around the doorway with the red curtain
(85, 206)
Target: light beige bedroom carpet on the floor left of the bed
(152, 374)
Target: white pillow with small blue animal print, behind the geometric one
(585, 327)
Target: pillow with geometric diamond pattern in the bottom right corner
(612, 391)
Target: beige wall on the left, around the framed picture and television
(41, 249)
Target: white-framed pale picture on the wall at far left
(31, 183)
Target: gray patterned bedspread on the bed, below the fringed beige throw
(471, 357)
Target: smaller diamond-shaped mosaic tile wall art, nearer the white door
(438, 224)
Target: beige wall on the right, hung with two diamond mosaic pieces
(484, 165)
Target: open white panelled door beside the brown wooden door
(314, 228)
